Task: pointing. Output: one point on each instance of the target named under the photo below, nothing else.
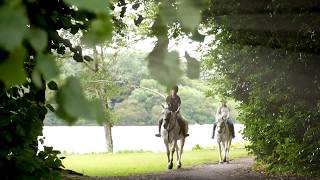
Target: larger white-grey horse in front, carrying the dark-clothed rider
(172, 137)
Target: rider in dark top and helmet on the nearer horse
(174, 102)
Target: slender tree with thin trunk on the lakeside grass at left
(99, 83)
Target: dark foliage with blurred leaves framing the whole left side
(28, 37)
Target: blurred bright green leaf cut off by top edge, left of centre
(96, 6)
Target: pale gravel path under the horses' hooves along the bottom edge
(239, 169)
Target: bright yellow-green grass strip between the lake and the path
(132, 163)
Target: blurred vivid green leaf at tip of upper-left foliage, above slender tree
(100, 30)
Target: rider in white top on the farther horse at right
(224, 112)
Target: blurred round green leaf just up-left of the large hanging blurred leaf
(47, 66)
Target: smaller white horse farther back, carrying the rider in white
(224, 138)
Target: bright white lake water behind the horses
(91, 139)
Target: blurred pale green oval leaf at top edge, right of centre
(189, 15)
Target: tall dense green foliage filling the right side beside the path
(272, 68)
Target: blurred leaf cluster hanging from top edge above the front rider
(172, 19)
